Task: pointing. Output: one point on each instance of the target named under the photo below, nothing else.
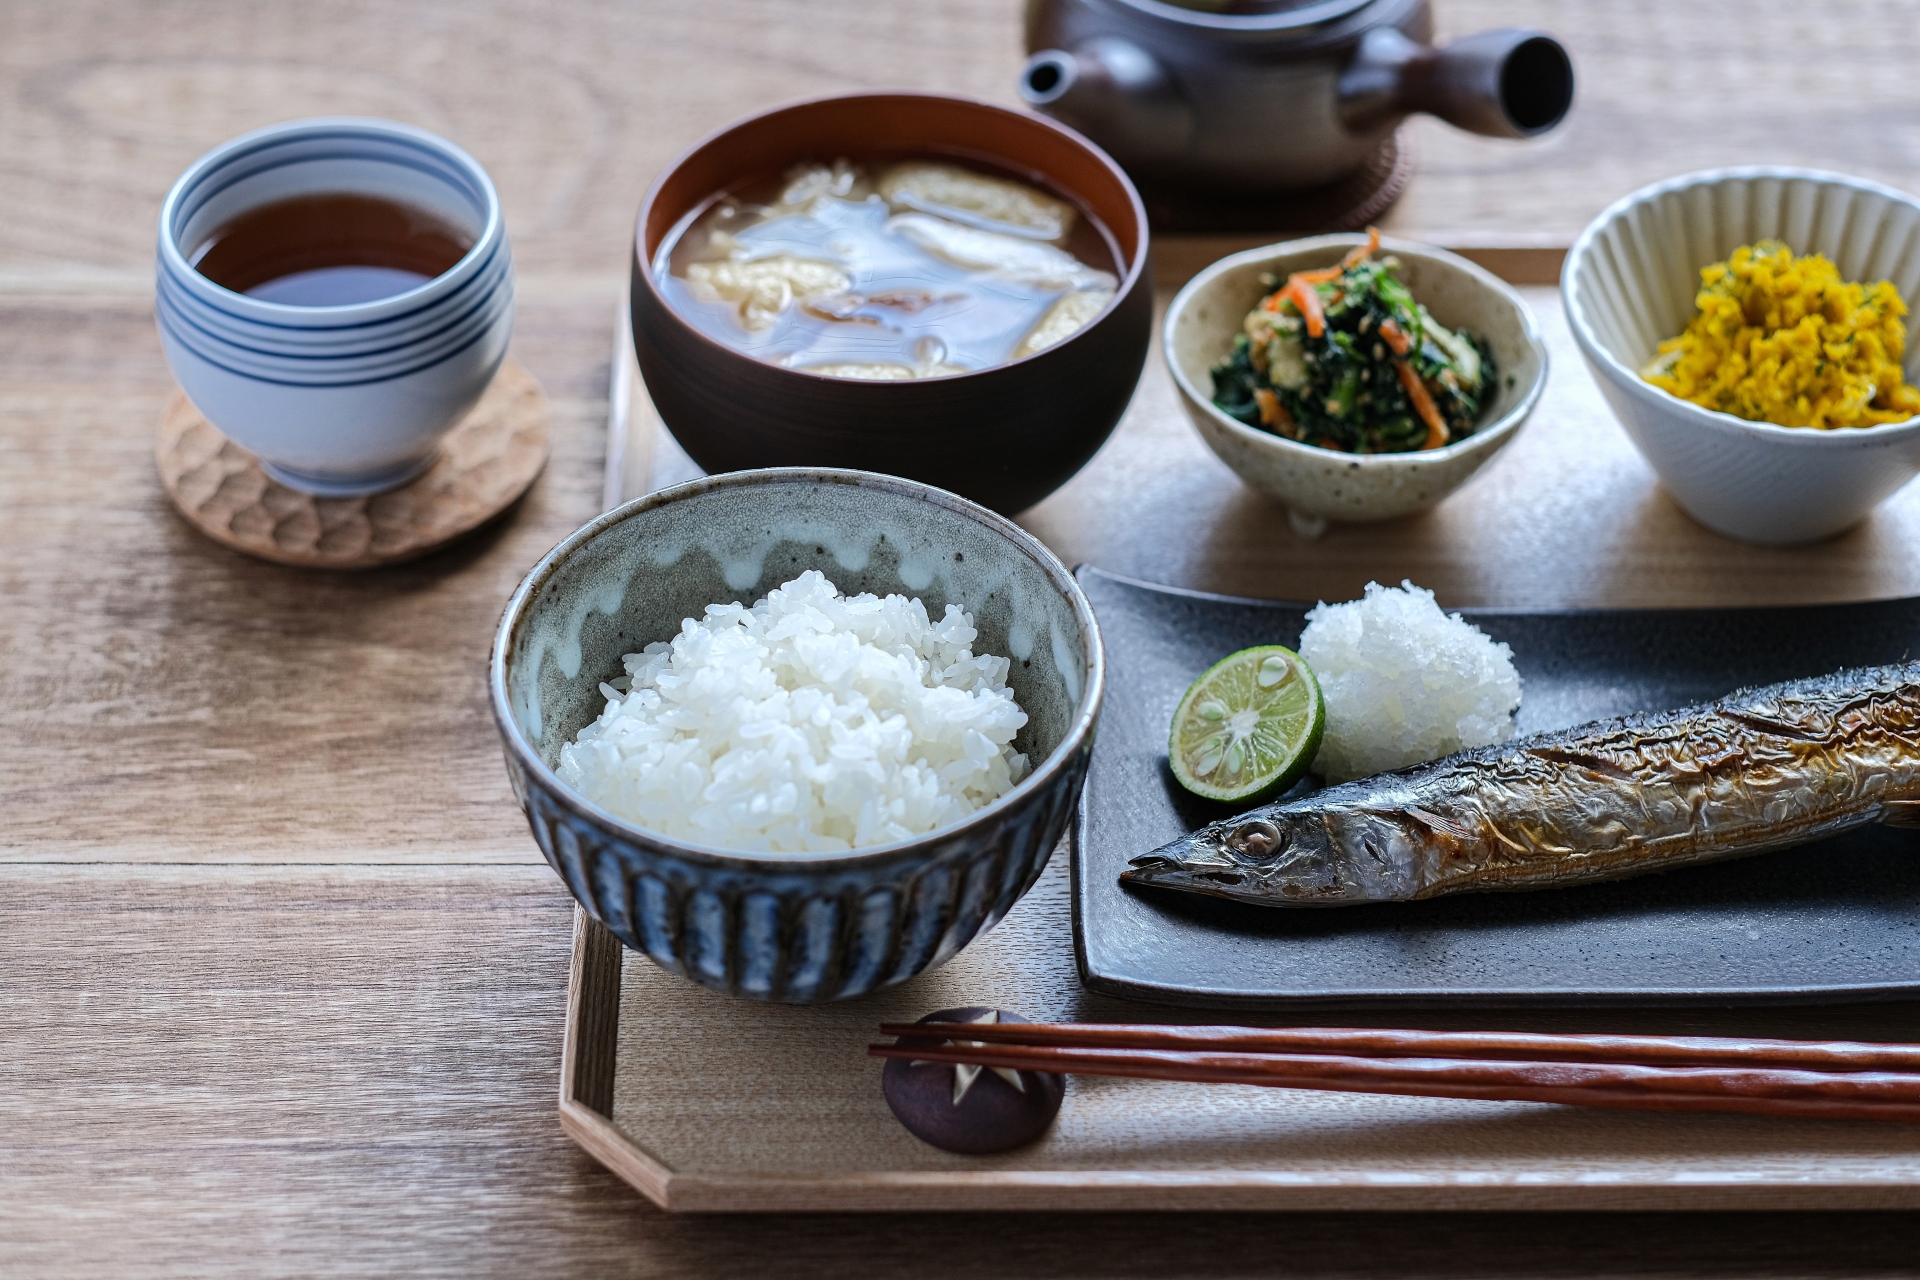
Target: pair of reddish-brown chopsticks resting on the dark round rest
(1658, 1074)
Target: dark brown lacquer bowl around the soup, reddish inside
(1005, 437)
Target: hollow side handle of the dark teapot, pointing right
(1500, 83)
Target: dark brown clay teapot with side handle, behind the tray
(1276, 95)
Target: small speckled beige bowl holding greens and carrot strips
(1322, 485)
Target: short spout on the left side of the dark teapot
(1115, 93)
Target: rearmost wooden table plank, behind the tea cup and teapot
(112, 99)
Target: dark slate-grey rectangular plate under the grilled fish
(1838, 920)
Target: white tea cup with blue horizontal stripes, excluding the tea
(337, 400)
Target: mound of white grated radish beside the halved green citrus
(1404, 682)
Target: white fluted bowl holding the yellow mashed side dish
(1631, 283)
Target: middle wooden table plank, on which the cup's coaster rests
(168, 699)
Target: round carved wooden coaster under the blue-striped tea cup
(485, 465)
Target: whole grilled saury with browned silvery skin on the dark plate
(1756, 770)
